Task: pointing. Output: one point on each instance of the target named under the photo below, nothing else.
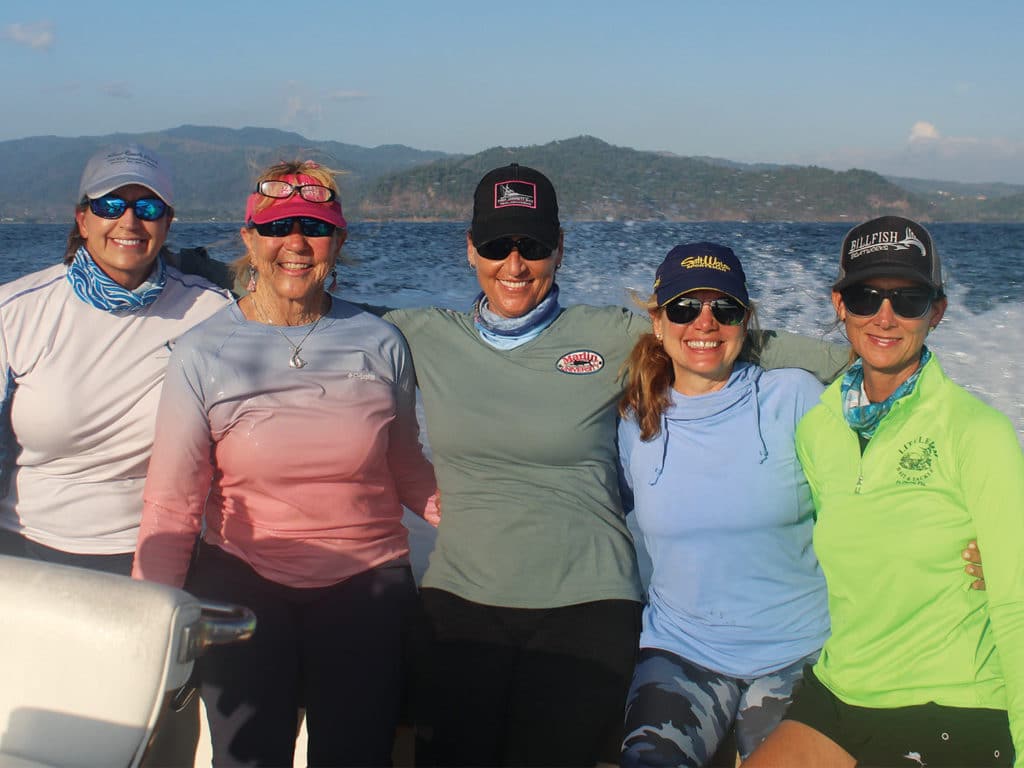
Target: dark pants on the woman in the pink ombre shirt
(336, 651)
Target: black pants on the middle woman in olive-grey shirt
(523, 688)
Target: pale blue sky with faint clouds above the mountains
(928, 90)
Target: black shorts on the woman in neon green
(924, 735)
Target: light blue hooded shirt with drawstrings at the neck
(727, 516)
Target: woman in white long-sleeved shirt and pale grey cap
(83, 352)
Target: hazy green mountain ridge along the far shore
(215, 168)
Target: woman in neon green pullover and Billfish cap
(906, 467)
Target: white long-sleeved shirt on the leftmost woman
(79, 389)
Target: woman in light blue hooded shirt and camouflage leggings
(737, 604)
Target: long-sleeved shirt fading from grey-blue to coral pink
(302, 474)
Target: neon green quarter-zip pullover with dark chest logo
(943, 468)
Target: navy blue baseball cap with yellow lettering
(701, 267)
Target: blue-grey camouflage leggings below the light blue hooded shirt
(678, 713)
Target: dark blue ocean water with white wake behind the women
(790, 268)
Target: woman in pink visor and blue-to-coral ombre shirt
(287, 442)
